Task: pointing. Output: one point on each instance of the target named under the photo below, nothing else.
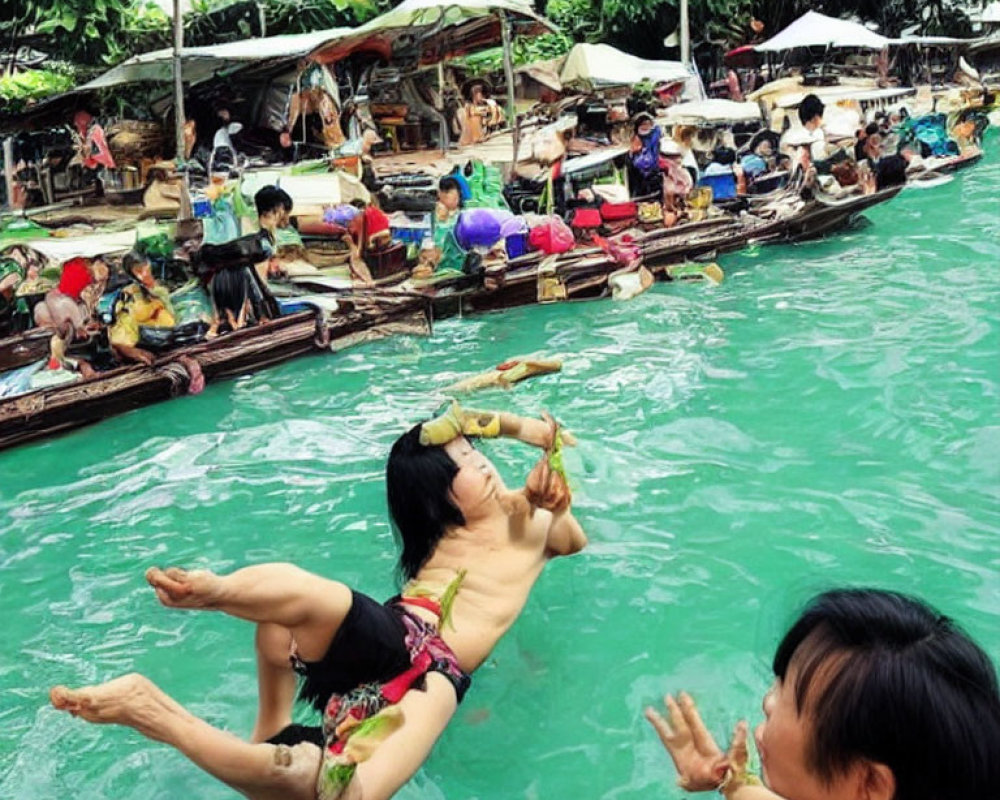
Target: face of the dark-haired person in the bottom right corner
(782, 741)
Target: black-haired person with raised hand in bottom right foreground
(876, 696)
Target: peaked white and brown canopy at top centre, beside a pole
(438, 29)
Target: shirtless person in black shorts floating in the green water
(387, 678)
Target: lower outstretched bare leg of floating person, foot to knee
(259, 771)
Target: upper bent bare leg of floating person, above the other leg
(310, 607)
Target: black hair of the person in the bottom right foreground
(885, 678)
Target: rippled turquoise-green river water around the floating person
(829, 415)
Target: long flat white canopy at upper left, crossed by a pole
(201, 63)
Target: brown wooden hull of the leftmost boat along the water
(48, 411)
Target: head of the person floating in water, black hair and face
(432, 488)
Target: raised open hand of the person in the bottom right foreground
(701, 765)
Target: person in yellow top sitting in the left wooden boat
(142, 303)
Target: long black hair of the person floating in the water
(418, 485)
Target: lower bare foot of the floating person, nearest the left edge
(131, 700)
